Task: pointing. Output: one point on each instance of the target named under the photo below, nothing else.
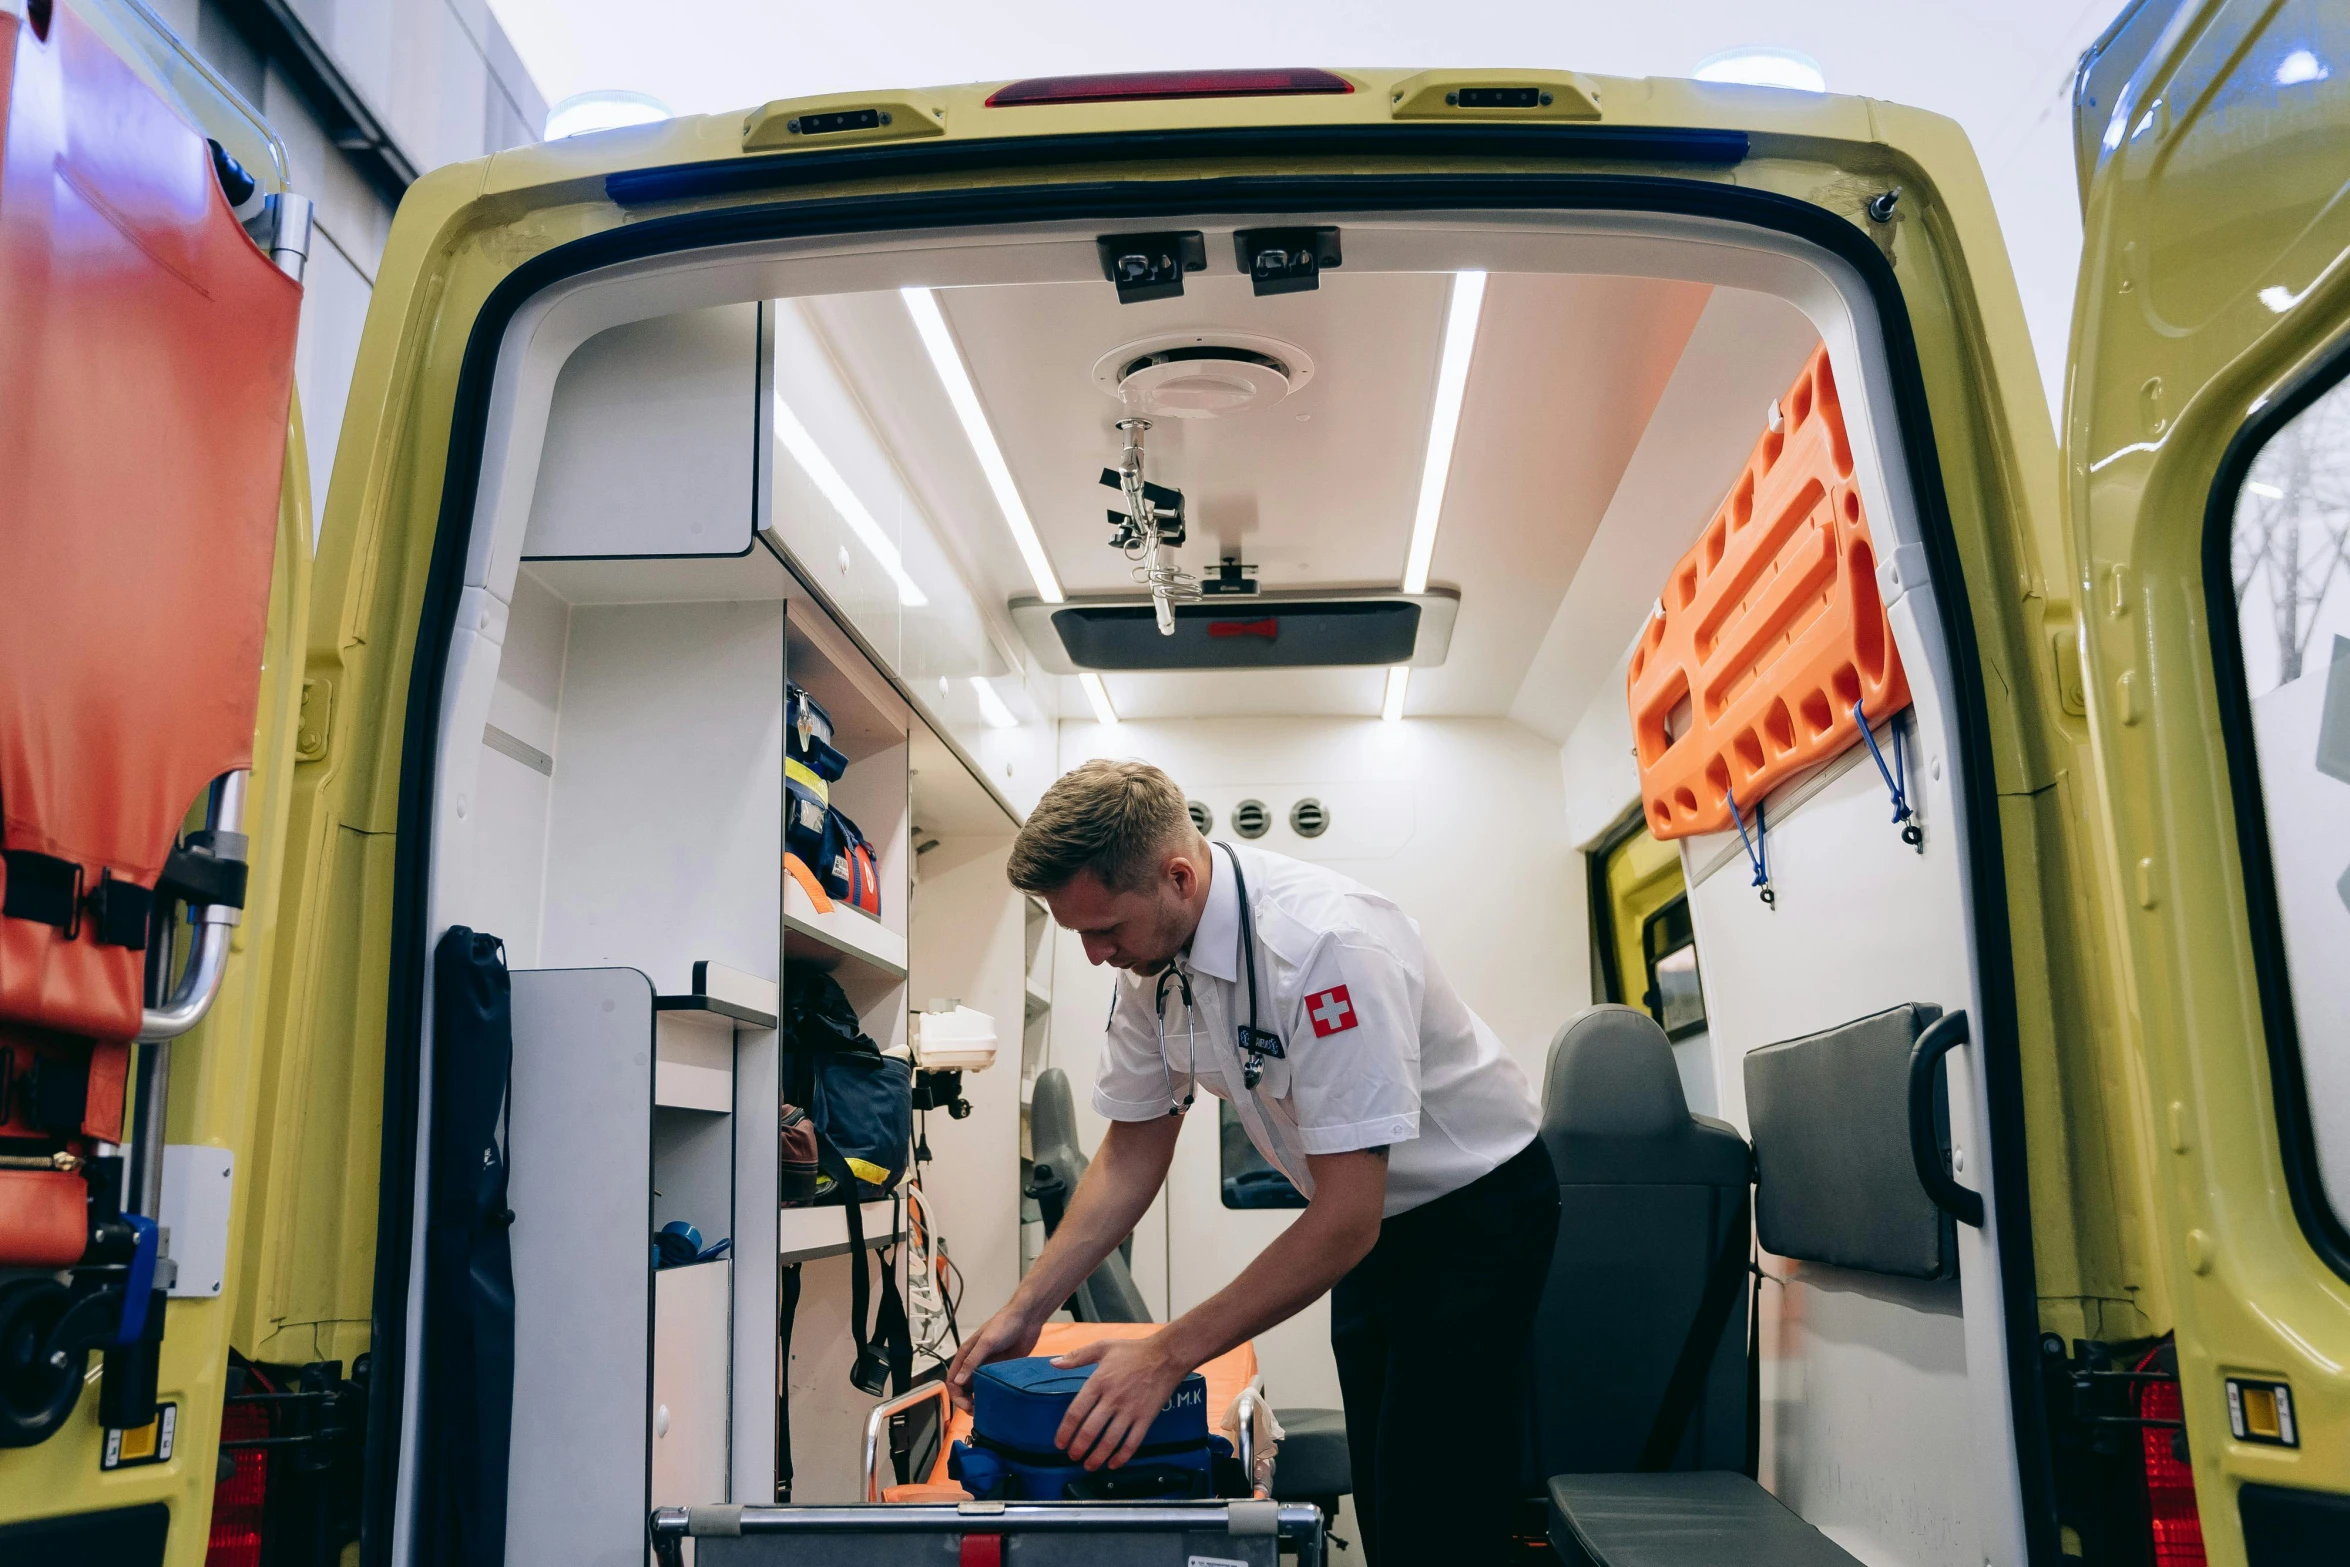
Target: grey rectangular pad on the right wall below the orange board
(1834, 1171)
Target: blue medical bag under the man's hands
(1016, 1411)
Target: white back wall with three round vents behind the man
(1461, 821)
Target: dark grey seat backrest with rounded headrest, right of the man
(1649, 1197)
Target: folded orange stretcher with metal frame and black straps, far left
(147, 361)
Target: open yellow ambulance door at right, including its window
(2208, 452)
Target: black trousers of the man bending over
(1430, 1336)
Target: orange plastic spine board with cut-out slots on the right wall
(1768, 631)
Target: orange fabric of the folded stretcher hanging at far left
(147, 356)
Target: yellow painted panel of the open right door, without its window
(2208, 196)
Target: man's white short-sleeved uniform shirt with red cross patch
(1378, 1047)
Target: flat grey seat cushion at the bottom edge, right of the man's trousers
(1705, 1519)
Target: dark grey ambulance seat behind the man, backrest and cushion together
(1649, 1202)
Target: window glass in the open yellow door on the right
(2290, 553)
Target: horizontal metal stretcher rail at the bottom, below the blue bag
(1291, 1521)
